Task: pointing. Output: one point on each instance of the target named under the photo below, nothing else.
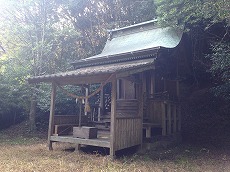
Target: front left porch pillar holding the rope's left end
(51, 118)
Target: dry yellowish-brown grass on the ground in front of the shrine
(25, 152)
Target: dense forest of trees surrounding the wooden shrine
(40, 37)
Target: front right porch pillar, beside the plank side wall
(113, 117)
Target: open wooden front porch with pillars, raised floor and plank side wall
(125, 122)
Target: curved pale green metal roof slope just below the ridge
(160, 37)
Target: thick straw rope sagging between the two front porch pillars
(86, 97)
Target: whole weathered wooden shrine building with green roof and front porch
(140, 65)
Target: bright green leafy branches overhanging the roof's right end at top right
(184, 12)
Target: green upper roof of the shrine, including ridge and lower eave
(133, 40)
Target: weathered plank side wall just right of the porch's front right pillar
(128, 124)
